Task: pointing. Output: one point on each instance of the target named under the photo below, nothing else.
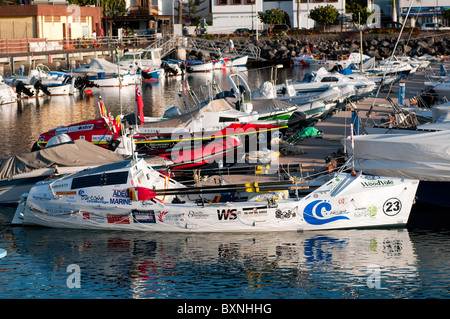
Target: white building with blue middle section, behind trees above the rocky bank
(228, 15)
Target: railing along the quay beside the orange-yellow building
(14, 46)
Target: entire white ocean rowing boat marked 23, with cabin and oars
(132, 196)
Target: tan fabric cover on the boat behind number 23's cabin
(77, 153)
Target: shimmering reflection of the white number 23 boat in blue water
(155, 265)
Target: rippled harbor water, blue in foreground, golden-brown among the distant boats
(41, 263)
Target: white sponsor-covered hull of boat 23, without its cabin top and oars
(344, 202)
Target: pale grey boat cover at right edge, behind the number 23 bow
(423, 156)
